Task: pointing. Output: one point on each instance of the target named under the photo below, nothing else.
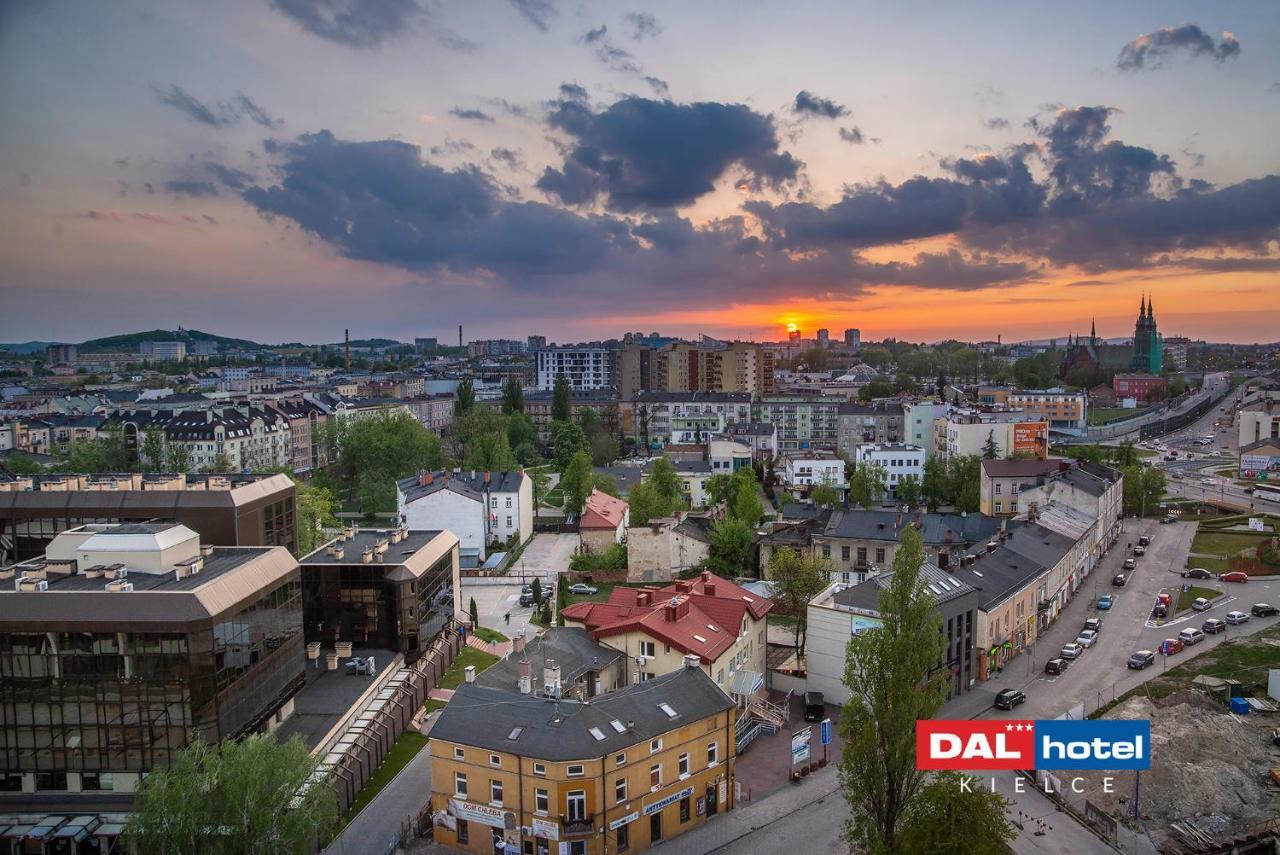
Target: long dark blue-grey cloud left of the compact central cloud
(381, 202)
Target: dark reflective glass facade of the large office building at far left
(126, 702)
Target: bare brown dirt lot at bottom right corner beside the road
(1205, 765)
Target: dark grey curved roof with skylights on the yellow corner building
(560, 731)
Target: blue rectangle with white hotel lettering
(1094, 746)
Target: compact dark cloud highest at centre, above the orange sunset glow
(646, 154)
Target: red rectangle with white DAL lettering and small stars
(975, 746)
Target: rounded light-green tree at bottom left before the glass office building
(237, 797)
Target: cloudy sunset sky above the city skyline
(287, 170)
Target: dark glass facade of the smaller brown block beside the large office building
(358, 603)
